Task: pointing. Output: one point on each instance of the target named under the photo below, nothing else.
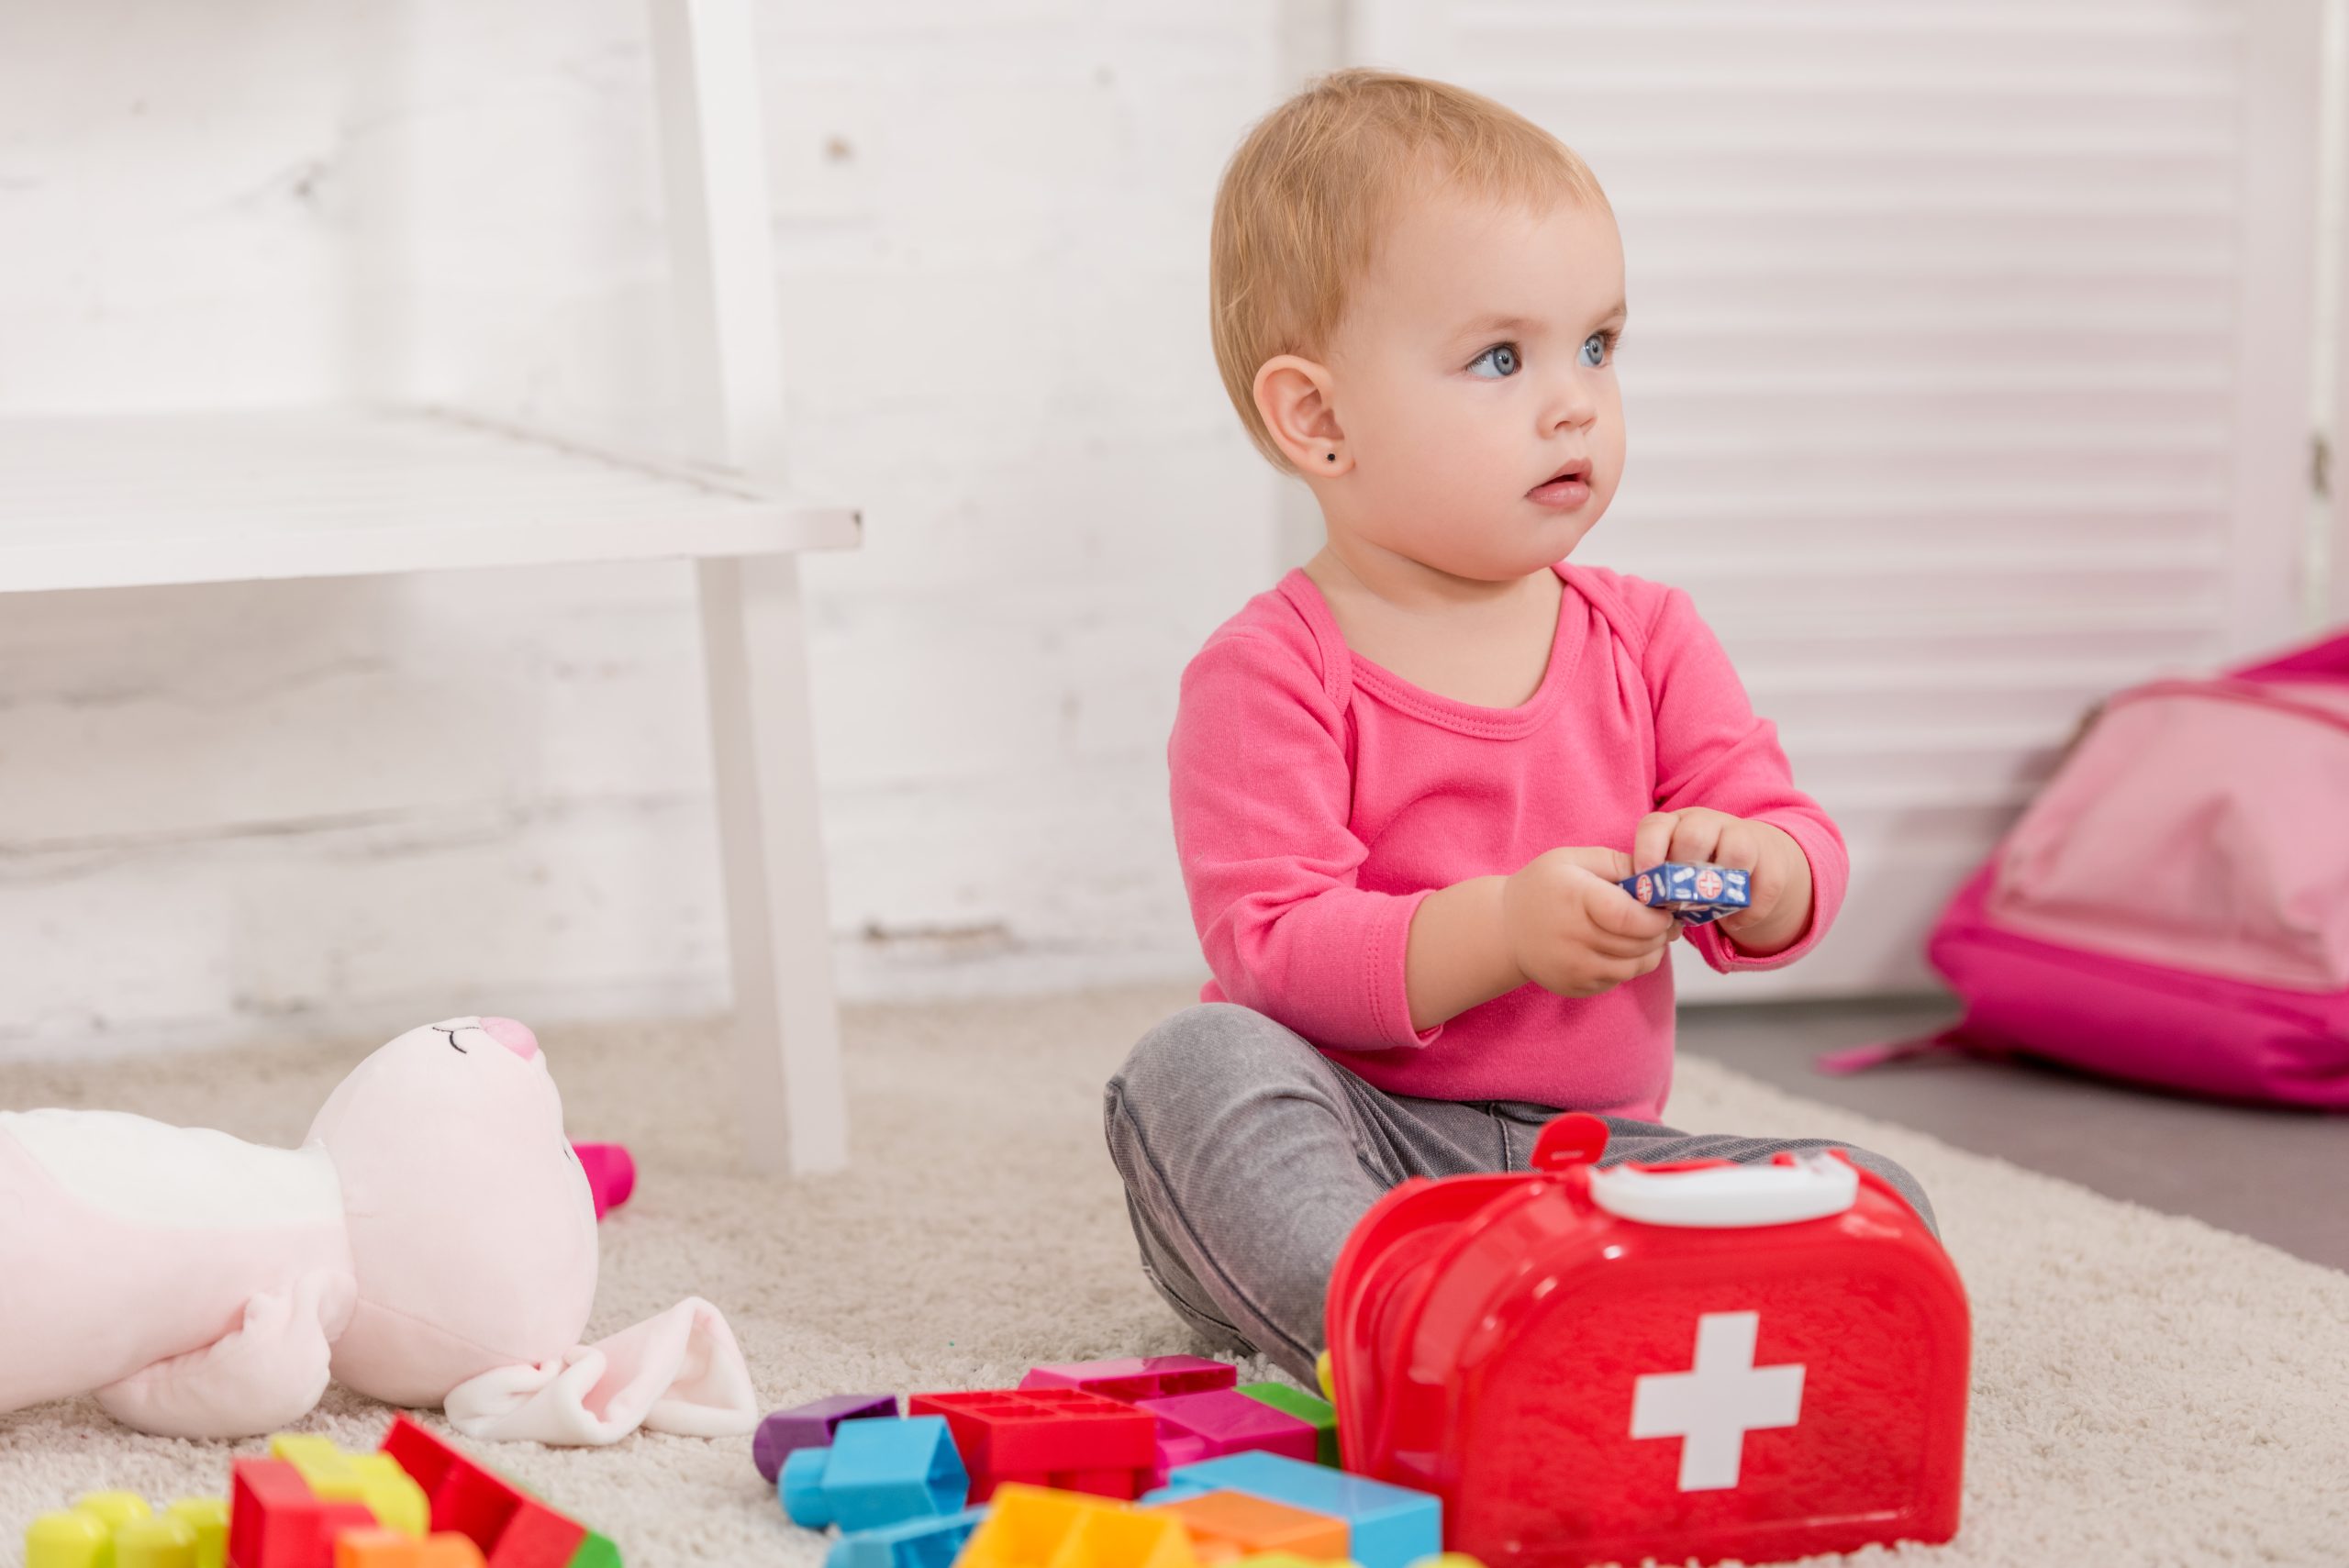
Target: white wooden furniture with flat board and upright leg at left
(187, 499)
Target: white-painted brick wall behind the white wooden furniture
(356, 804)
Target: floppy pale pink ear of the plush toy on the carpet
(678, 1372)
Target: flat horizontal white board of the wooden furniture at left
(119, 501)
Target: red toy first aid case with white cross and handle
(1697, 1360)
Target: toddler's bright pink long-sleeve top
(1319, 799)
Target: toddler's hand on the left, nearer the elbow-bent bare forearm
(1573, 931)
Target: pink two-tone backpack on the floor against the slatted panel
(2174, 907)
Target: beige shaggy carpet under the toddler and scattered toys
(2148, 1391)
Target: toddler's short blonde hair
(1305, 201)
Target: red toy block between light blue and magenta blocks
(1061, 1438)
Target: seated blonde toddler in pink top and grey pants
(1408, 778)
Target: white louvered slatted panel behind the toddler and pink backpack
(1967, 370)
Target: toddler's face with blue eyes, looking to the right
(1474, 367)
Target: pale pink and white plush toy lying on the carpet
(431, 1243)
